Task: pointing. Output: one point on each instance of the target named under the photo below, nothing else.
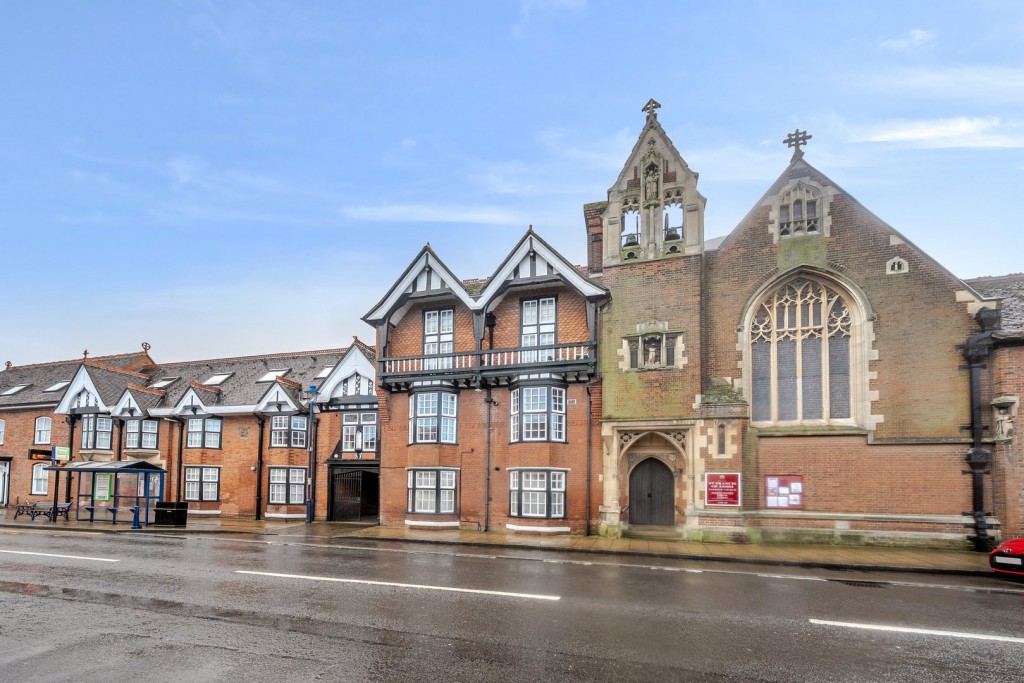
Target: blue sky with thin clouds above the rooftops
(228, 179)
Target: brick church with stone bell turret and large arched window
(803, 379)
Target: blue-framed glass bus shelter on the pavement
(130, 489)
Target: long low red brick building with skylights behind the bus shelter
(274, 437)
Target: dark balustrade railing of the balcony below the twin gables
(561, 355)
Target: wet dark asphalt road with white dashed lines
(147, 608)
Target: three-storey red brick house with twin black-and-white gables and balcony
(489, 404)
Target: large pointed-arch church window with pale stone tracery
(801, 336)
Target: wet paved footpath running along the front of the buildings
(819, 557)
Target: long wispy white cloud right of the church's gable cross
(955, 133)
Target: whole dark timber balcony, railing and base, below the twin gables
(490, 367)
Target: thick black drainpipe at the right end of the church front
(976, 352)
